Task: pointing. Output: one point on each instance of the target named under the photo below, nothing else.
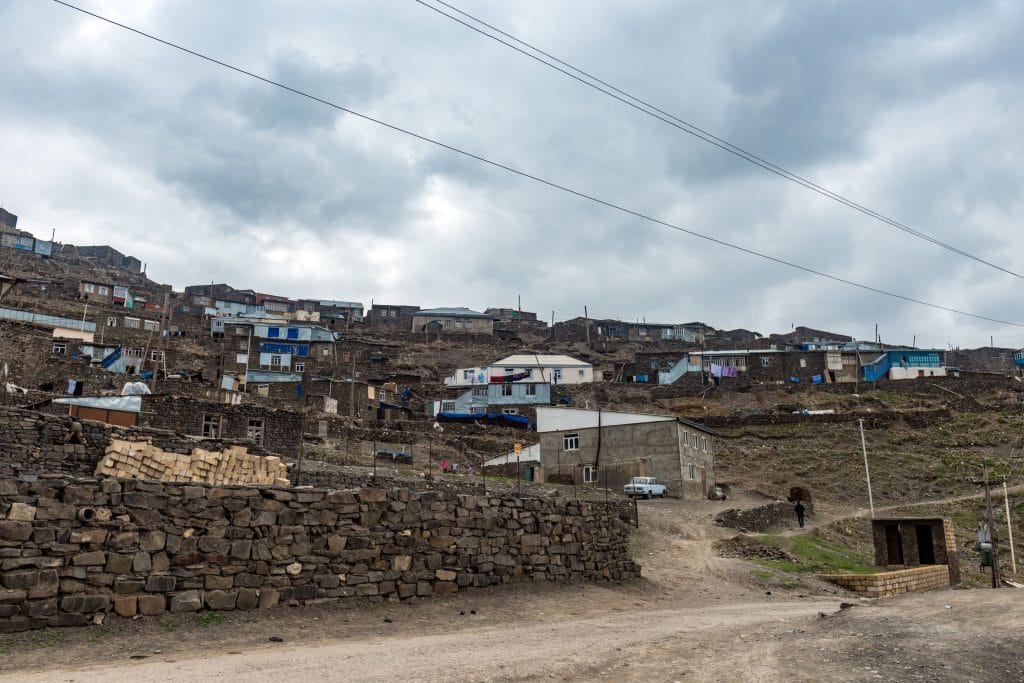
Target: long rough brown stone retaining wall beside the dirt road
(71, 549)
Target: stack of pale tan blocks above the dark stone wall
(235, 465)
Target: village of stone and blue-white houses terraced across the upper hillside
(82, 326)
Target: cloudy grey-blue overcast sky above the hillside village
(914, 110)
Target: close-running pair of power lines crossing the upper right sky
(676, 122)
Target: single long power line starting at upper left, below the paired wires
(530, 177)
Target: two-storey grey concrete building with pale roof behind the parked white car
(608, 449)
